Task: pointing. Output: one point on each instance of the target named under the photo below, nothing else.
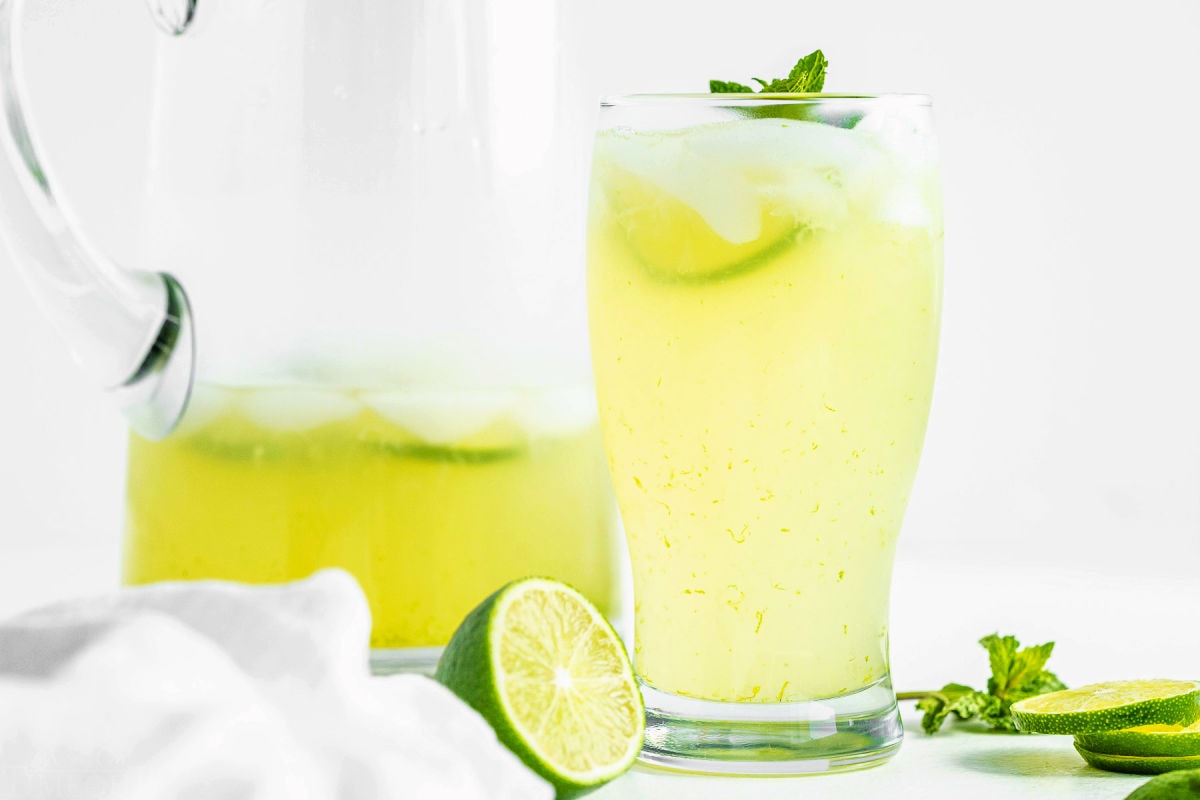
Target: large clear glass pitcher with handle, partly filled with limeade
(367, 347)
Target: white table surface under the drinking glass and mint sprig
(1108, 627)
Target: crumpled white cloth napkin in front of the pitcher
(221, 691)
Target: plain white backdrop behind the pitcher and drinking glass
(1065, 426)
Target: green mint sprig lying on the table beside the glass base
(1017, 673)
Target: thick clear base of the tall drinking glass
(827, 736)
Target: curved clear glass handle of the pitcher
(130, 330)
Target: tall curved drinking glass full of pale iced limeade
(765, 279)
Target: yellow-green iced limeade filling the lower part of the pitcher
(433, 502)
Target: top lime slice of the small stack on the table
(1111, 707)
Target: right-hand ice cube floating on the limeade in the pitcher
(443, 417)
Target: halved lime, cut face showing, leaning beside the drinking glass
(545, 669)
